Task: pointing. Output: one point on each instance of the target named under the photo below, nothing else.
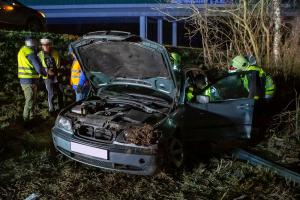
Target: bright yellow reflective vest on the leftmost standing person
(25, 68)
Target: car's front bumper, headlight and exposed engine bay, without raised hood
(115, 136)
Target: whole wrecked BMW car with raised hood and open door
(136, 118)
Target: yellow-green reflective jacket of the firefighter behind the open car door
(269, 84)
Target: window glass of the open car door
(230, 87)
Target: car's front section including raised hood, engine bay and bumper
(118, 127)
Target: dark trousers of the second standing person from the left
(52, 88)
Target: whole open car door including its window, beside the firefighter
(227, 113)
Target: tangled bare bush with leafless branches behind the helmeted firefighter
(247, 27)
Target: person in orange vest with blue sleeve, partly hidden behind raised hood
(78, 80)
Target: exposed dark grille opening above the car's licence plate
(90, 132)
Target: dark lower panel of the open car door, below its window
(223, 120)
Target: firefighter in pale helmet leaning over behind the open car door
(240, 63)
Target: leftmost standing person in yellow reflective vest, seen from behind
(29, 70)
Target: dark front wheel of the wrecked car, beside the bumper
(175, 153)
